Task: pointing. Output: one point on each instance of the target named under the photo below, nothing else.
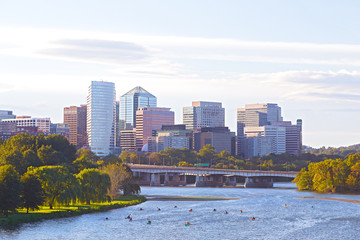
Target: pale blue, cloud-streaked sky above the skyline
(302, 55)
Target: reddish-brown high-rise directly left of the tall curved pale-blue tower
(75, 118)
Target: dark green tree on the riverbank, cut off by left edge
(10, 189)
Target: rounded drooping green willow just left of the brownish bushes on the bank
(94, 185)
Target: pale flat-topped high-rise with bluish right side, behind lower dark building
(204, 114)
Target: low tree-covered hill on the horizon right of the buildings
(341, 151)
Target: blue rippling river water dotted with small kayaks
(326, 220)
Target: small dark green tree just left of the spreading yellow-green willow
(33, 194)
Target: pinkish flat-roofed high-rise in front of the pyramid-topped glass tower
(149, 119)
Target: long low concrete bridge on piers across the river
(205, 177)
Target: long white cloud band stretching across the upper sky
(118, 47)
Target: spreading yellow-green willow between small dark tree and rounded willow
(56, 182)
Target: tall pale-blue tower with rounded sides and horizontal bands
(101, 117)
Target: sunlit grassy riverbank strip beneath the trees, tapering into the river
(45, 212)
